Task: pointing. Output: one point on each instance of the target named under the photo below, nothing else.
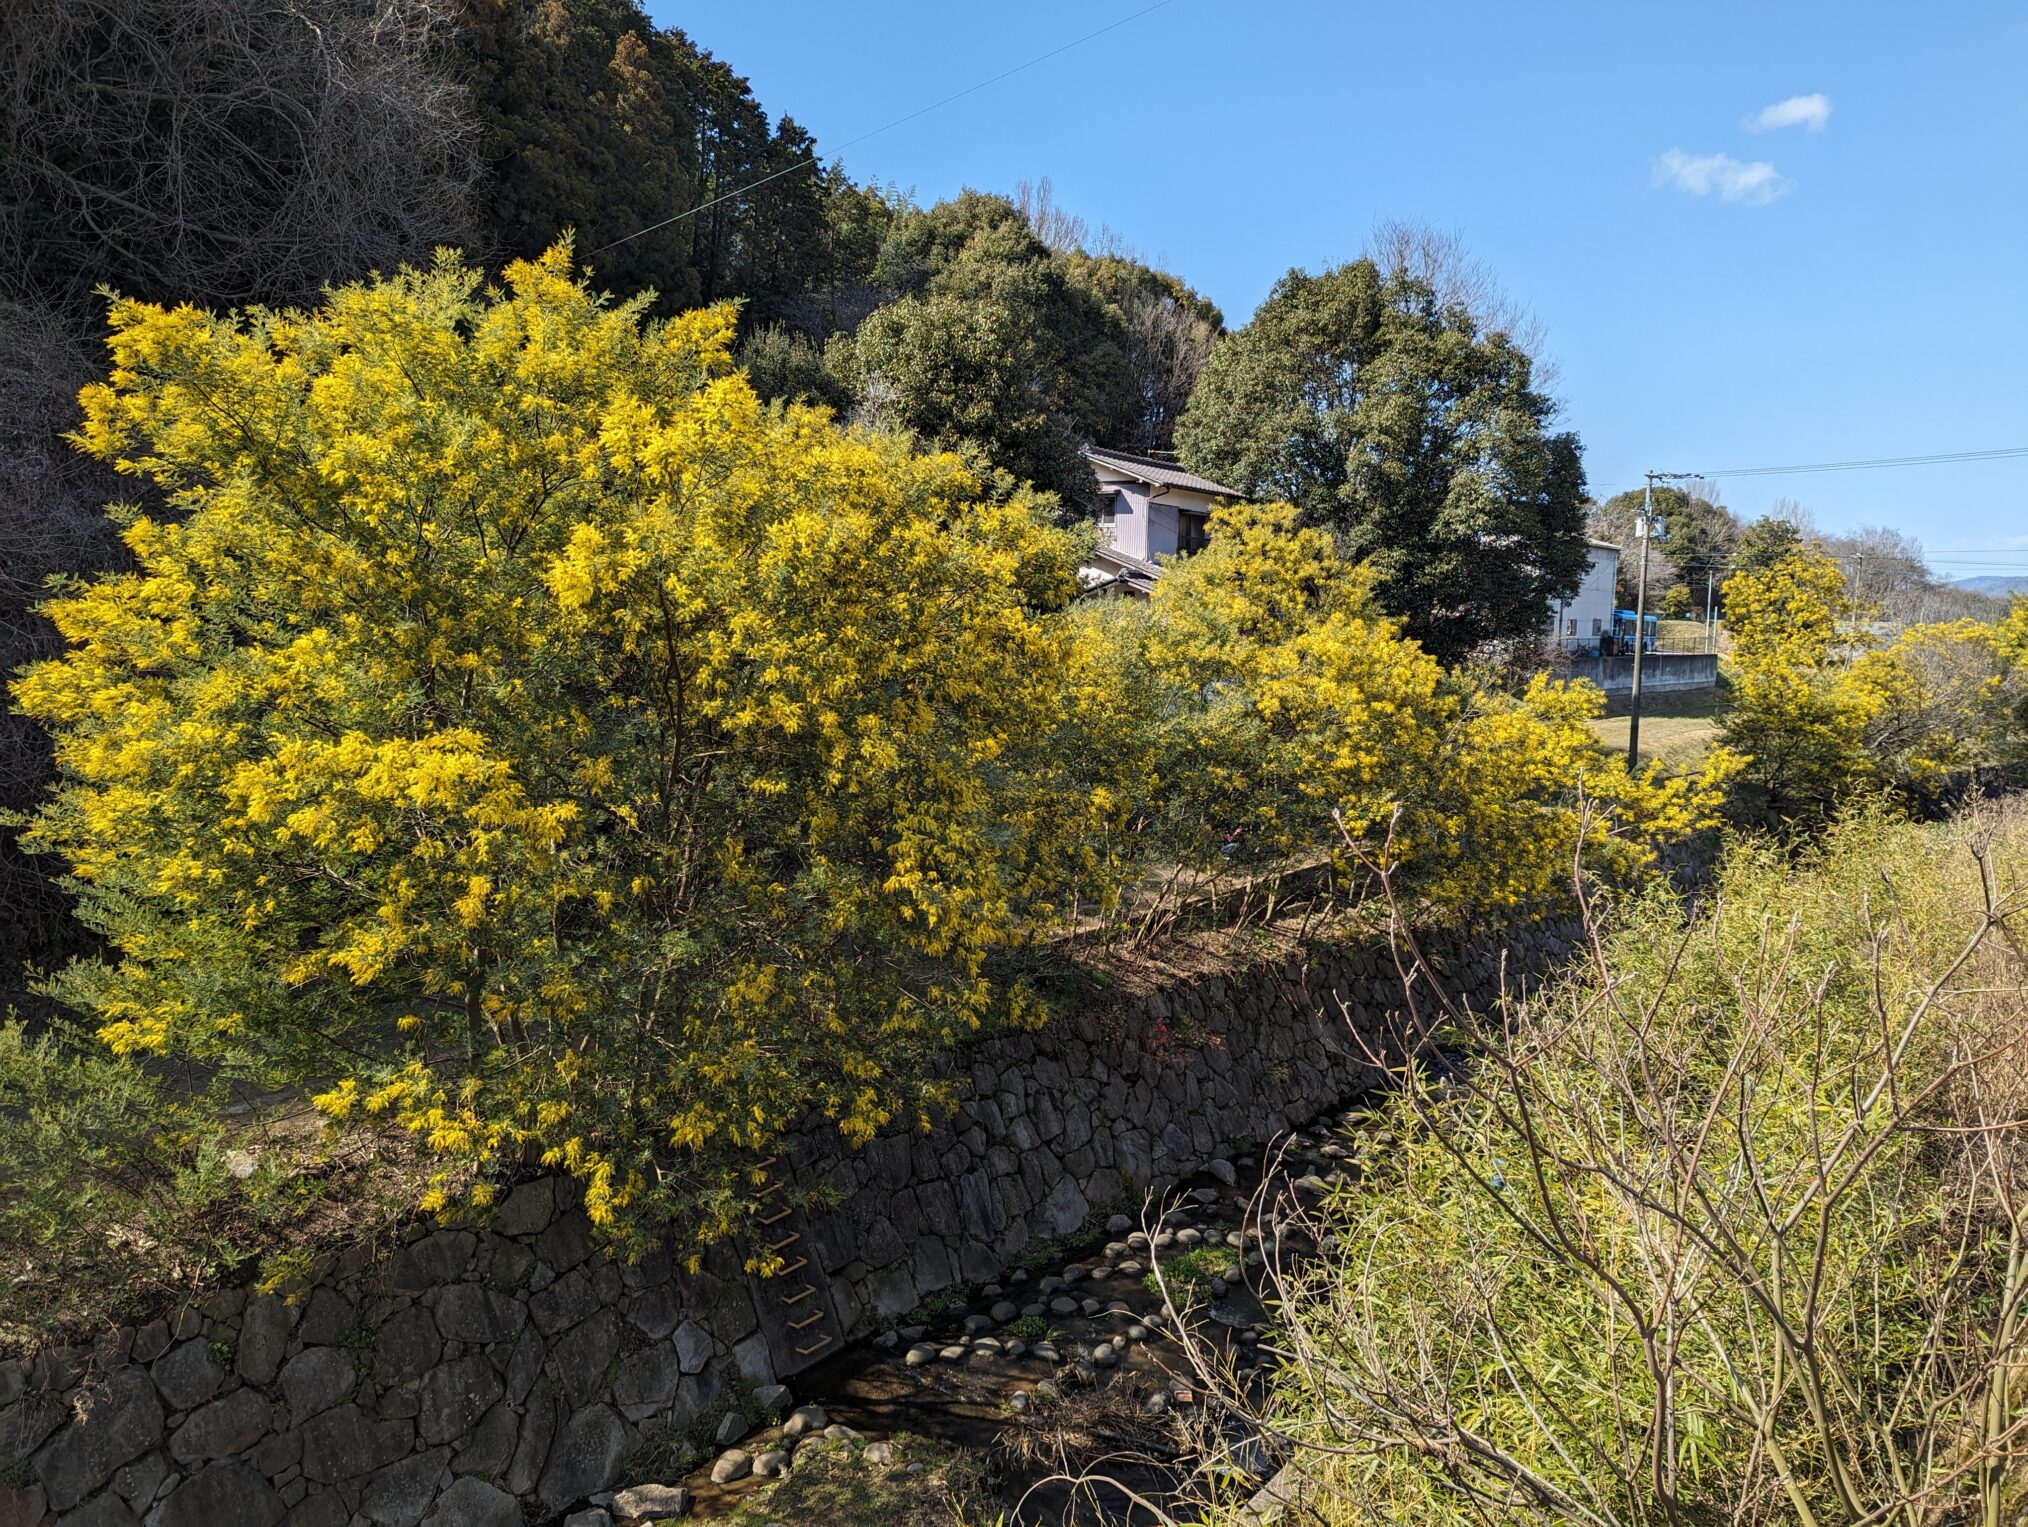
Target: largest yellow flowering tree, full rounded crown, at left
(545, 743)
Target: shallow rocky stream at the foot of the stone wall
(1084, 1321)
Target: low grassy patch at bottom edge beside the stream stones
(835, 1485)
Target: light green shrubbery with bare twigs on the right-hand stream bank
(1725, 1232)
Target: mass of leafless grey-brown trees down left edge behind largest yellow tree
(186, 151)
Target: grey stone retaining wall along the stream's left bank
(469, 1376)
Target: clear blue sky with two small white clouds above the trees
(1842, 281)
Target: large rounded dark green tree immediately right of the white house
(1419, 435)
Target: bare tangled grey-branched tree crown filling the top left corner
(226, 151)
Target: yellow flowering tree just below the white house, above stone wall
(1289, 705)
